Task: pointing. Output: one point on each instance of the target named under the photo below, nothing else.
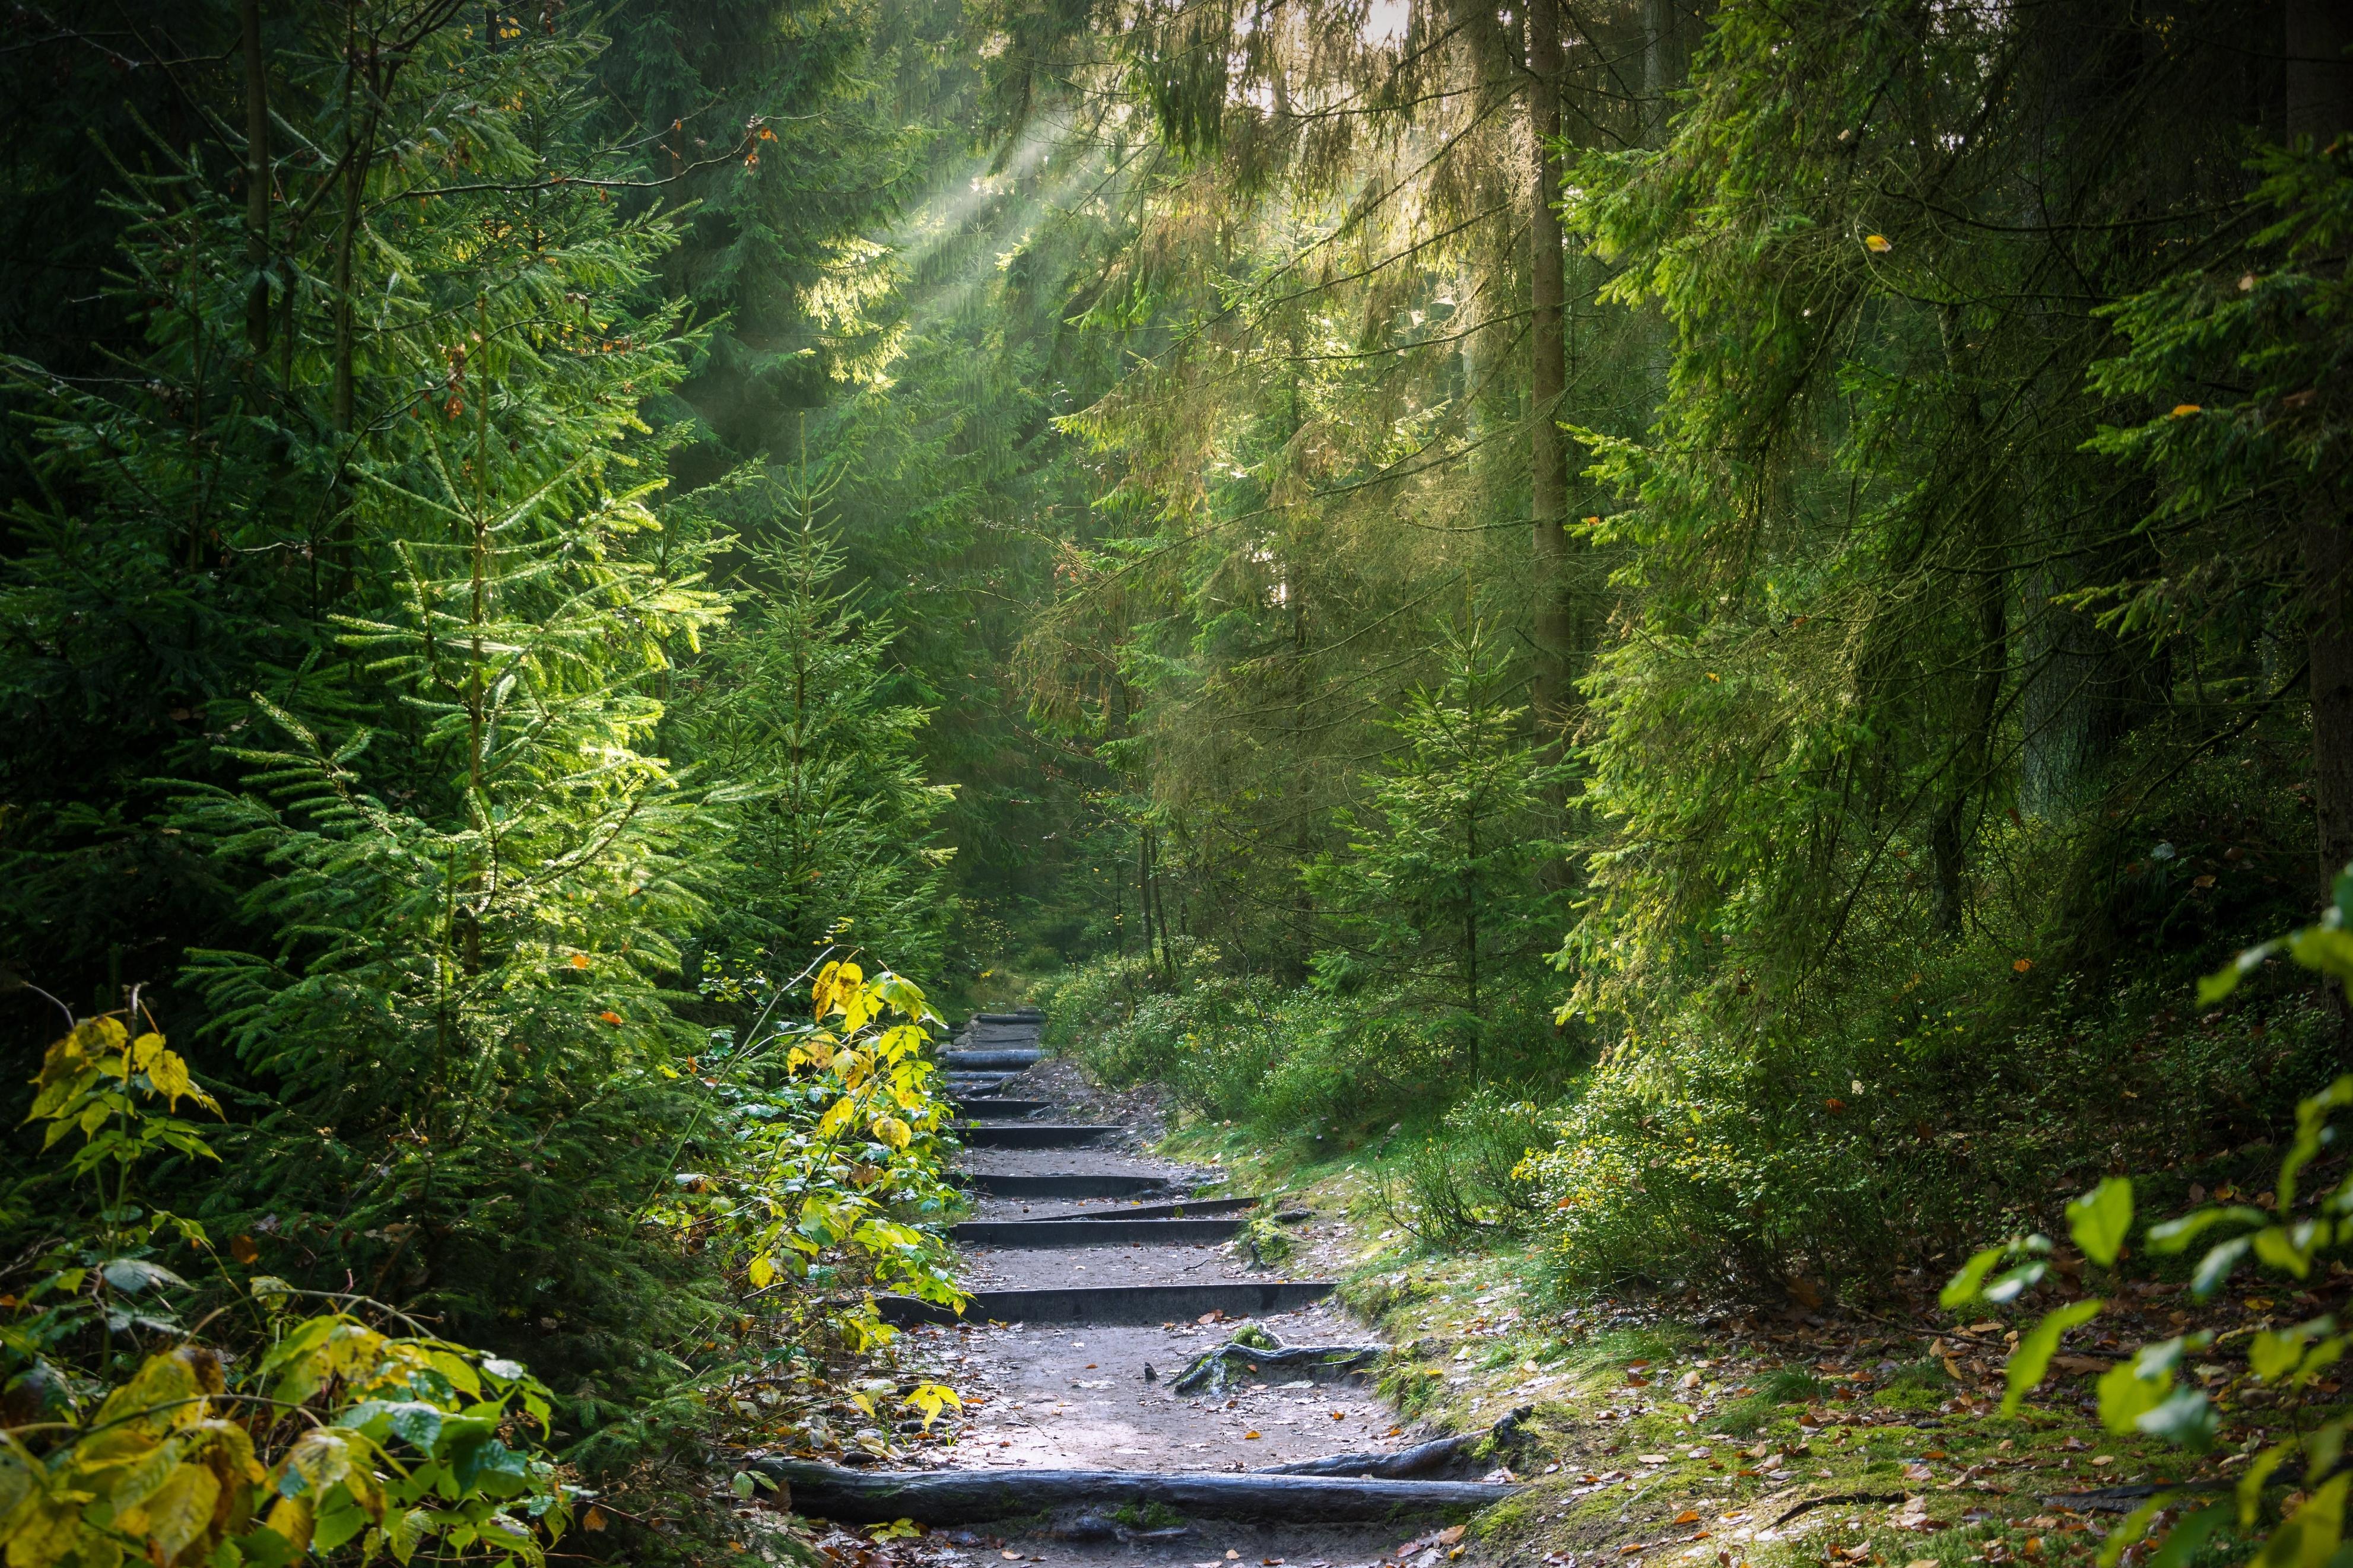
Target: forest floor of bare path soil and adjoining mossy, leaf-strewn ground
(1662, 1430)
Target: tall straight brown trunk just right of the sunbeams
(1549, 471)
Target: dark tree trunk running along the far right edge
(2321, 107)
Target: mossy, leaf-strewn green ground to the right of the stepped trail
(1761, 1433)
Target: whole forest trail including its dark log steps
(1098, 1275)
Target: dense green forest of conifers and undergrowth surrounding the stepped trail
(1684, 626)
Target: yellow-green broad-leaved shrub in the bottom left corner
(331, 1435)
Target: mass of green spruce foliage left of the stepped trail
(356, 652)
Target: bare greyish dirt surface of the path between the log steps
(1088, 1395)
